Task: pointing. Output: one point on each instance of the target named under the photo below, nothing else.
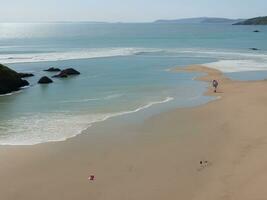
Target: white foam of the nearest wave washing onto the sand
(47, 127)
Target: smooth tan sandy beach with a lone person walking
(158, 159)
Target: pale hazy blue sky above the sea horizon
(126, 10)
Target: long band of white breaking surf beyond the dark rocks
(228, 60)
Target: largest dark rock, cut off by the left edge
(10, 80)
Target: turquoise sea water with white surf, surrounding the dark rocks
(124, 68)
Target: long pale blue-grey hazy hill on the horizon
(201, 20)
